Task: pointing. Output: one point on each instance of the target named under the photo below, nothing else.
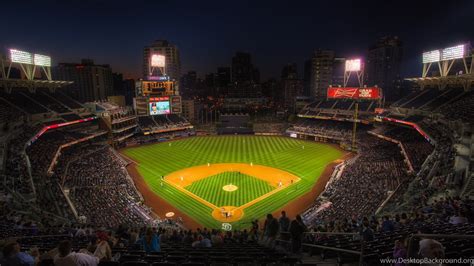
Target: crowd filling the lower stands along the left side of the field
(102, 192)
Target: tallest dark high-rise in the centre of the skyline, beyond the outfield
(242, 69)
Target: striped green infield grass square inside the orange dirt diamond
(249, 188)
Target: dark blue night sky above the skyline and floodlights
(208, 33)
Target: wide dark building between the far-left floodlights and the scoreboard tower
(91, 82)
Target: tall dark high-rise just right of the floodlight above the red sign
(383, 66)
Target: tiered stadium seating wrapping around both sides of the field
(374, 189)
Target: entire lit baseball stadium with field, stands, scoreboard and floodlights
(157, 172)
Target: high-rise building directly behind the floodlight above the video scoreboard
(172, 60)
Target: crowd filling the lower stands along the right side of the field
(364, 184)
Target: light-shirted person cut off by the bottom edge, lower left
(66, 257)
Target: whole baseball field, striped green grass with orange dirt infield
(231, 179)
